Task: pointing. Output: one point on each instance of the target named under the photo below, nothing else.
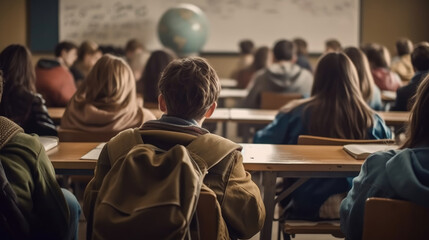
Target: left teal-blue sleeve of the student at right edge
(371, 182)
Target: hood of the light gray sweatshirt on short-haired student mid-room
(283, 74)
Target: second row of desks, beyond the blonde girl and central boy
(253, 116)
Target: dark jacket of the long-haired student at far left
(28, 110)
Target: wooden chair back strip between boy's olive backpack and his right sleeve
(207, 215)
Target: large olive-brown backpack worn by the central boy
(151, 193)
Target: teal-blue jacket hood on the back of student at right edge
(408, 174)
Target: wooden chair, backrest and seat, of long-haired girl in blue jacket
(291, 227)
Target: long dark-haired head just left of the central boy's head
(156, 63)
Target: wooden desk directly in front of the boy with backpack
(298, 161)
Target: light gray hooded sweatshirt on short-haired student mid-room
(283, 77)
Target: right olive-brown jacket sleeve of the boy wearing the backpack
(242, 205)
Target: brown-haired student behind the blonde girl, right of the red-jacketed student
(87, 55)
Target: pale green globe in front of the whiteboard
(183, 29)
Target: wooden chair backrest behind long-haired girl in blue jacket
(315, 140)
